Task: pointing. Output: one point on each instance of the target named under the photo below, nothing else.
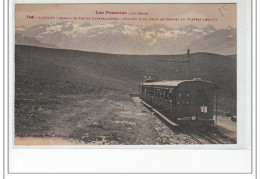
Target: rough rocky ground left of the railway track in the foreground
(89, 117)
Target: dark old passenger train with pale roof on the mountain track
(193, 101)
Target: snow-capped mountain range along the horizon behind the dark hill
(121, 38)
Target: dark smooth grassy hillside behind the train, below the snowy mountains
(68, 71)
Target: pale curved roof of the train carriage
(176, 83)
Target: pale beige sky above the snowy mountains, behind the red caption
(224, 15)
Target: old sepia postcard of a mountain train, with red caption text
(125, 74)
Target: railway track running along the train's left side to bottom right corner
(201, 137)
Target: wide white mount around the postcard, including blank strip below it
(137, 160)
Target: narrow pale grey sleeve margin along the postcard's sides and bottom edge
(243, 138)
